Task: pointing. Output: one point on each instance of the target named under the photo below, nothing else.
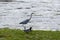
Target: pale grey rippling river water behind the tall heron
(46, 14)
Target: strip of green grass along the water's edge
(16, 34)
